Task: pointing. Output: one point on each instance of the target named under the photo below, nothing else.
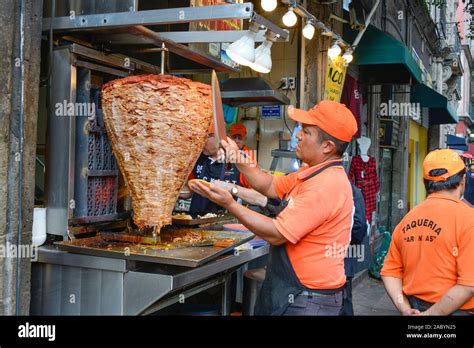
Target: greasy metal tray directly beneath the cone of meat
(186, 256)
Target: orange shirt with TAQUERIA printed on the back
(432, 249)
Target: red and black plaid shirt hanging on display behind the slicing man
(364, 176)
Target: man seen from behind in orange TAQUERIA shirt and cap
(430, 263)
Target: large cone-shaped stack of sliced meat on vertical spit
(157, 125)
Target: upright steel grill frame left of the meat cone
(70, 84)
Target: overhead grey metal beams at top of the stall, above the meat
(133, 30)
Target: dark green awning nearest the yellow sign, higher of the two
(384, 60)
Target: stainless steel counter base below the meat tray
(73, 284)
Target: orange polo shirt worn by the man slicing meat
(317, 224)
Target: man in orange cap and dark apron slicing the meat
(309, 237)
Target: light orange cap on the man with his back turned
(442, 159)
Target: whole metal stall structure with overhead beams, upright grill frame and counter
(107, 285)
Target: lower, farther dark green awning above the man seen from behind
(441, 111)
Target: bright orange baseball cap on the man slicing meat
(332, 117)
